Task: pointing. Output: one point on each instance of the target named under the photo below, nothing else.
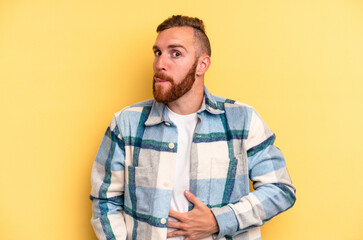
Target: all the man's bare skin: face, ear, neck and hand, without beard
(175, 53)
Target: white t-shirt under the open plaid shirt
(186, 126)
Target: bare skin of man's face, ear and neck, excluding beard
(175, 53)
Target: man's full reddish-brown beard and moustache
(176, 90)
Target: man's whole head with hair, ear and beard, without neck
(182, 56)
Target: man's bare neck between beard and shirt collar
(190, 102)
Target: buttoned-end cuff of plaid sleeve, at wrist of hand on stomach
(227, 221)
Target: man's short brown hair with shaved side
(185, 21)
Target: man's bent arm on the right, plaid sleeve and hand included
(274, 193)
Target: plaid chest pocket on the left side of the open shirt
(141, 186)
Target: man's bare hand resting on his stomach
(195, 224)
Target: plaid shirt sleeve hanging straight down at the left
(107, 181)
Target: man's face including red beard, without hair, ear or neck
(175, 63)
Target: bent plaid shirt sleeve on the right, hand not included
(274, 192)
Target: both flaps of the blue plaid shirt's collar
(158, 112)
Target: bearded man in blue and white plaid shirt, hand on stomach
(178, 166)
